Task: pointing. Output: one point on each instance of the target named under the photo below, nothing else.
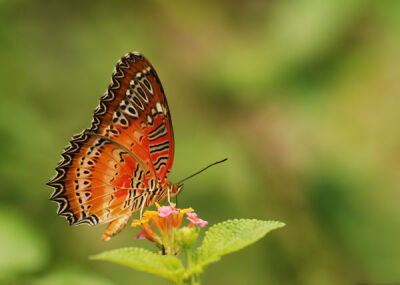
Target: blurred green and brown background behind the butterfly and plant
(301, 96)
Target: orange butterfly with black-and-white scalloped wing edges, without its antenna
(120, 164)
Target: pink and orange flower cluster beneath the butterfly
(167, 233)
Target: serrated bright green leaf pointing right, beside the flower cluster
(230, 236)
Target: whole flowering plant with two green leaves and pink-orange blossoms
(220, 239)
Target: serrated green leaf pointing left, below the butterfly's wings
(169, 267)
